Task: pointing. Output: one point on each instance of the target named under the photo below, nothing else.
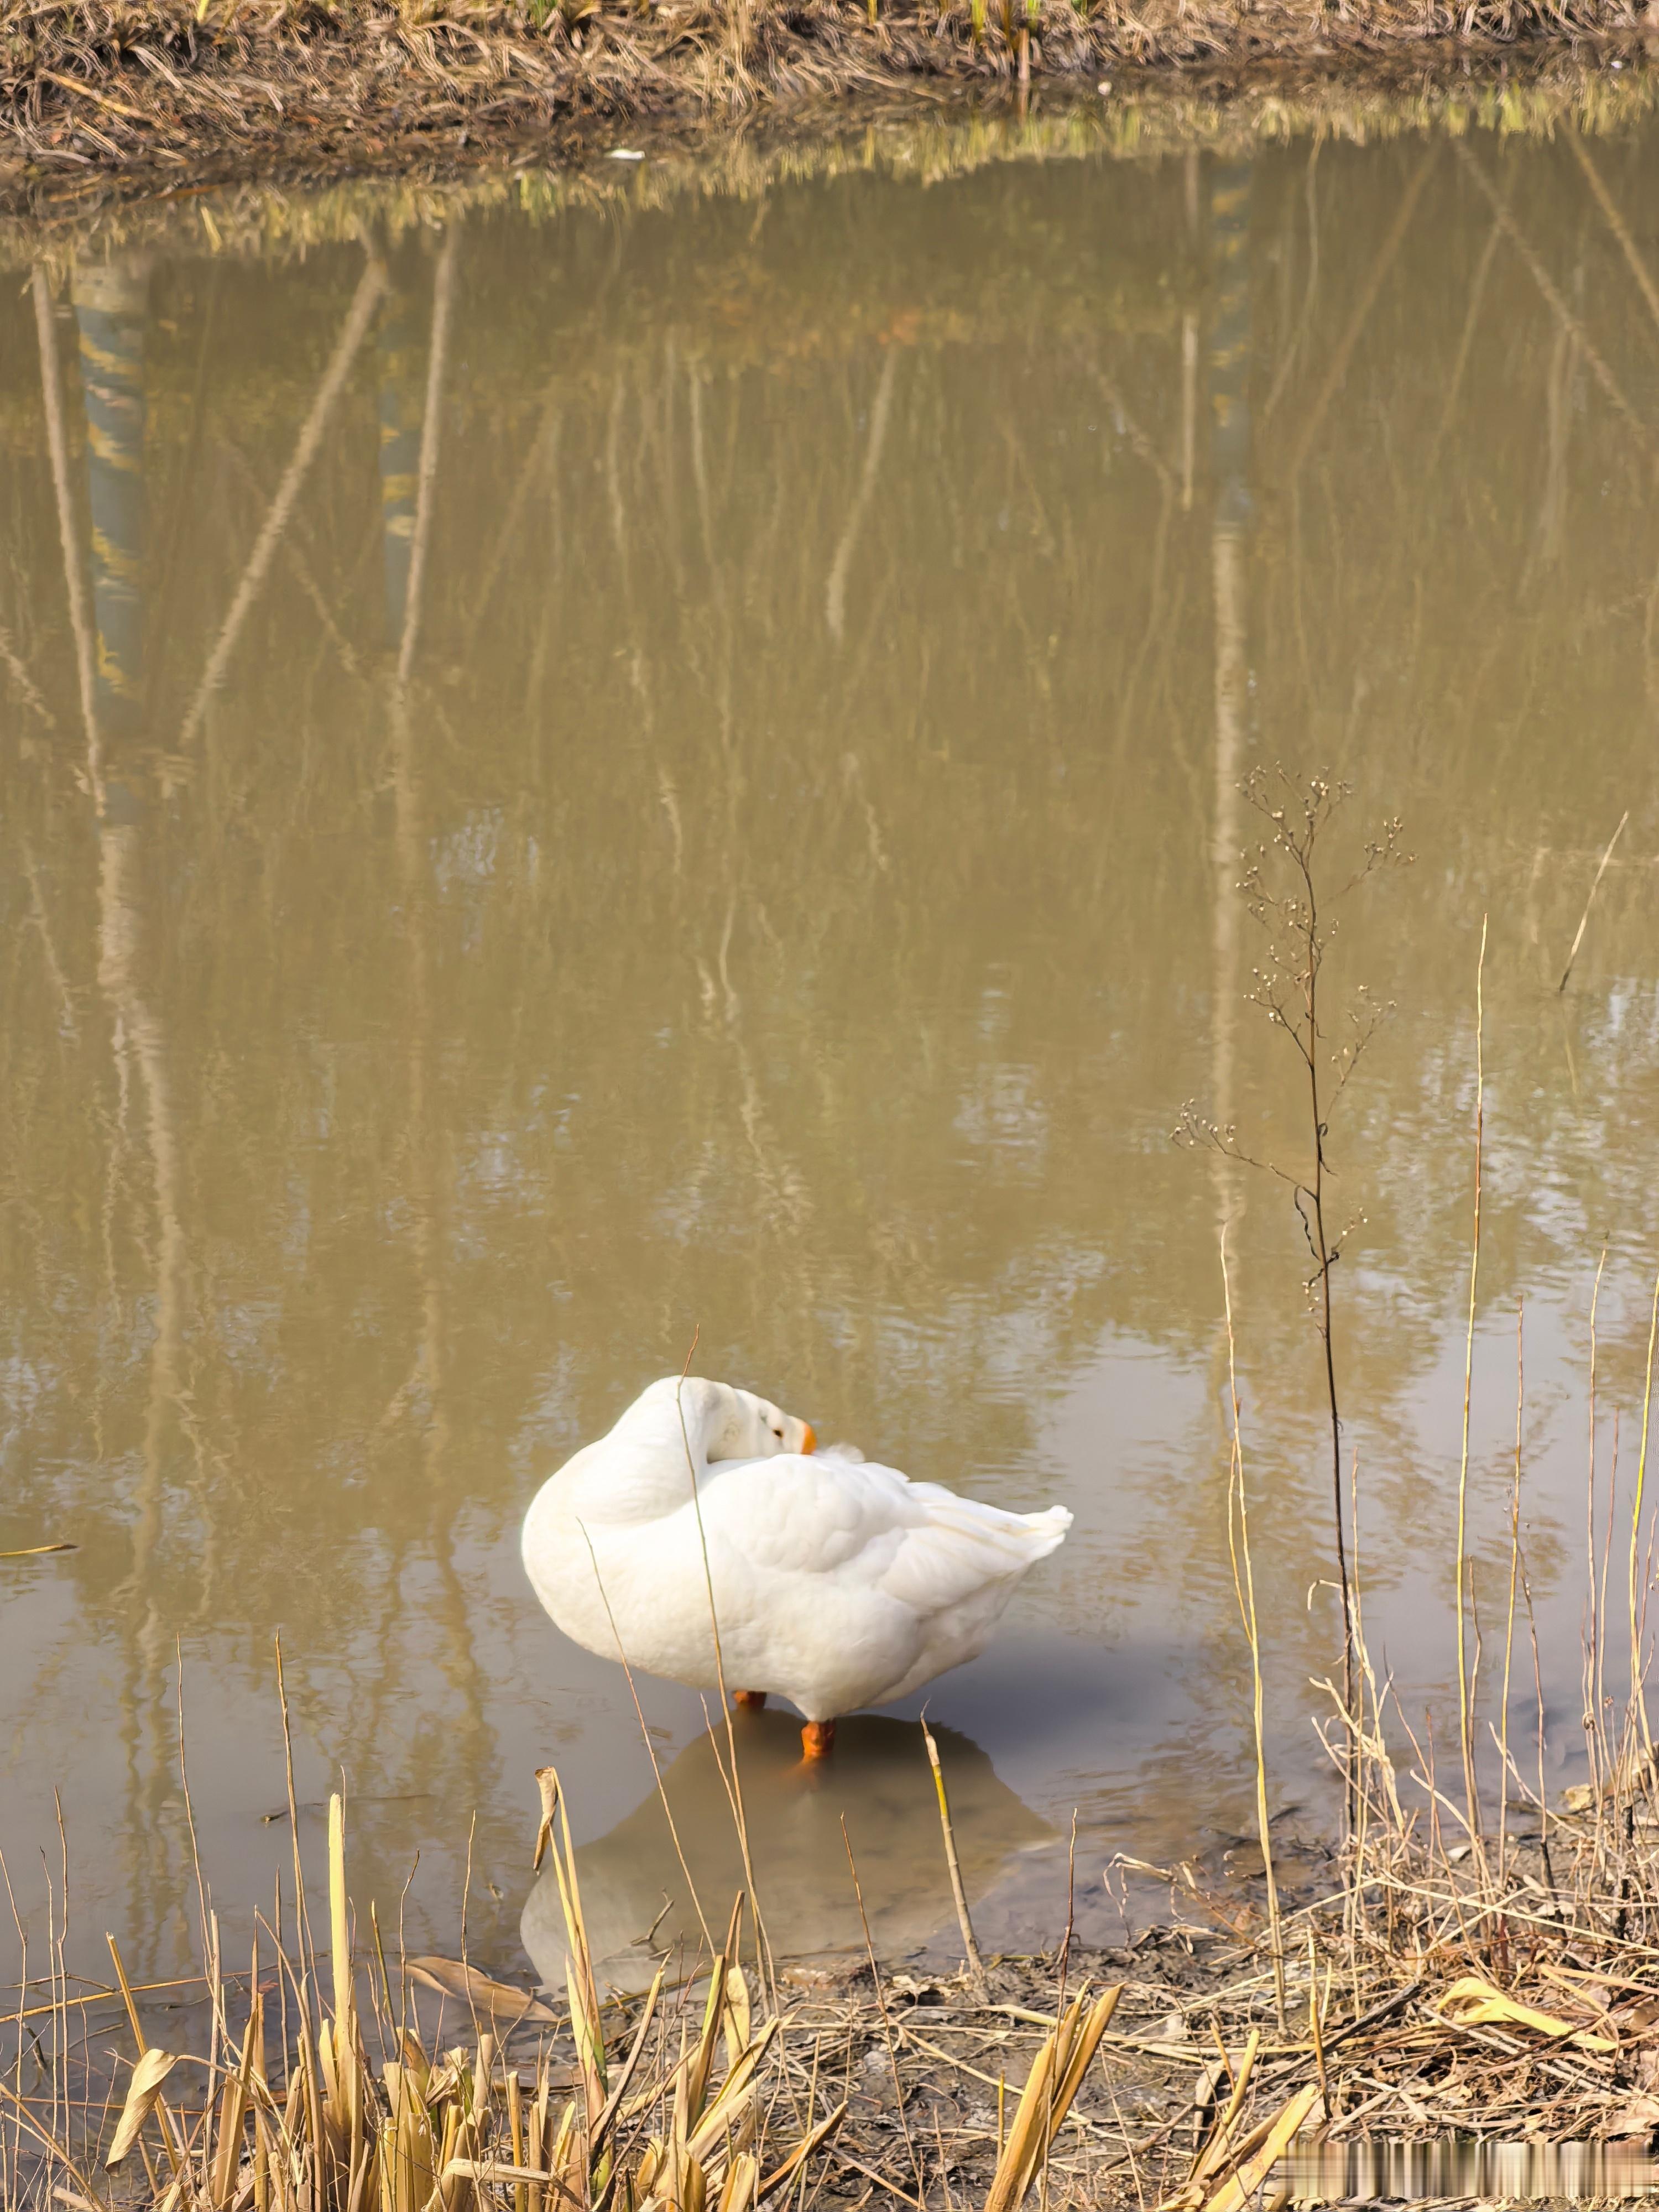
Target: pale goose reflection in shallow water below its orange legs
(636, 1897)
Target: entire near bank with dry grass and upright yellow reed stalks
(1410, 2016)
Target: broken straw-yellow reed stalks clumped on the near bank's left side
(317, 2089)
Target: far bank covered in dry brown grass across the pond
(185, 90)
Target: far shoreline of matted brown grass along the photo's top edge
(178, 98)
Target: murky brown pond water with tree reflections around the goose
(592, 778)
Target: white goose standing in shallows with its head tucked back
(835, 1583)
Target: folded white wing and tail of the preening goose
(868, 1525)
